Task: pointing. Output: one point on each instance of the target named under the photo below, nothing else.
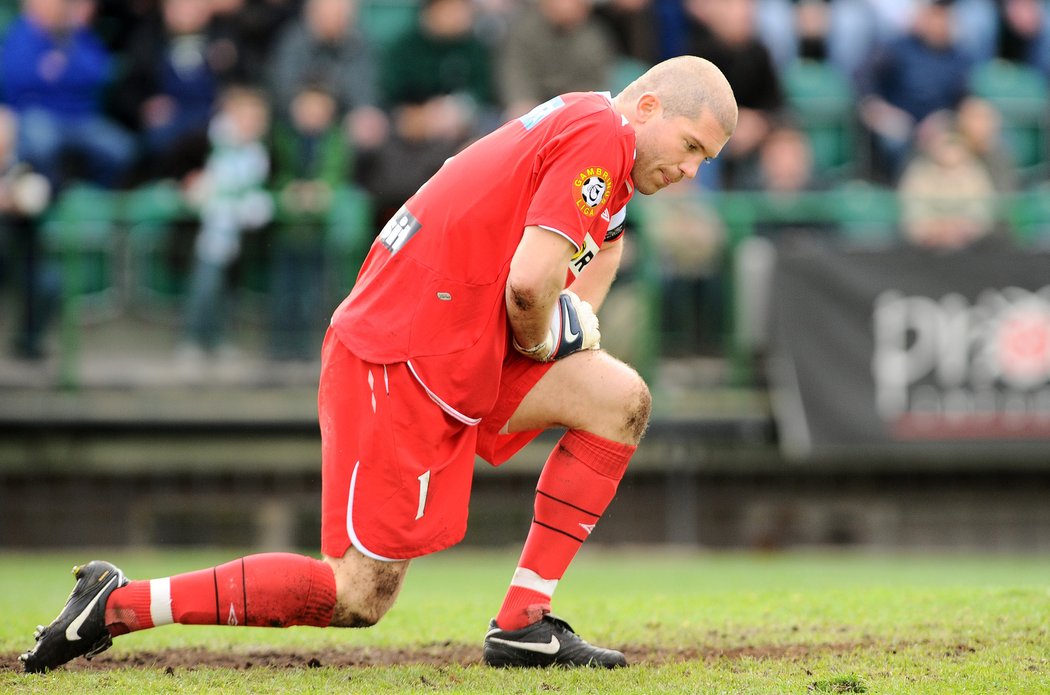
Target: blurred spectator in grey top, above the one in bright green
(326, 45)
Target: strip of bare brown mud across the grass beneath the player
(443, 655)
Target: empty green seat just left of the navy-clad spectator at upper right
(824, 100)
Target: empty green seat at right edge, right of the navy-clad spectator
(1022, 96)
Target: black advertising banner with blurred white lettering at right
(912, 352)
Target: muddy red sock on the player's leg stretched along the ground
(276, 589)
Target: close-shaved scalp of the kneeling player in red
(687, 87)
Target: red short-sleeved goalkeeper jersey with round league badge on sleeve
(431, 292)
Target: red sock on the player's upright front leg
(578, 483)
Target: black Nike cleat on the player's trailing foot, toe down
(80, 629)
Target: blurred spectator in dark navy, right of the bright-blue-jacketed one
(169, 90)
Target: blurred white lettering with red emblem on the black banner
(959, 363)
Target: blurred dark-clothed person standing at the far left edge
(24, 197)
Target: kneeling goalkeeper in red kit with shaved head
(471, 329)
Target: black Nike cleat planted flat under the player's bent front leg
(550, 642)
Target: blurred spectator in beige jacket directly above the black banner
(948, 198)
